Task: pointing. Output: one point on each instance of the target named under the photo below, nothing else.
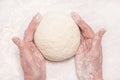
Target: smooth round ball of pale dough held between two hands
(57, 36)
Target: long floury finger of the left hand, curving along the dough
(29, 33)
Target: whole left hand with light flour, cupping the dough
(32, 61)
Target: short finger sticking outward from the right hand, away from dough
(98, 37)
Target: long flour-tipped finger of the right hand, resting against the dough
(85, 28)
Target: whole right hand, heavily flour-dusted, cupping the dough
(88, 59)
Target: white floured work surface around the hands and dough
(15, 16)
